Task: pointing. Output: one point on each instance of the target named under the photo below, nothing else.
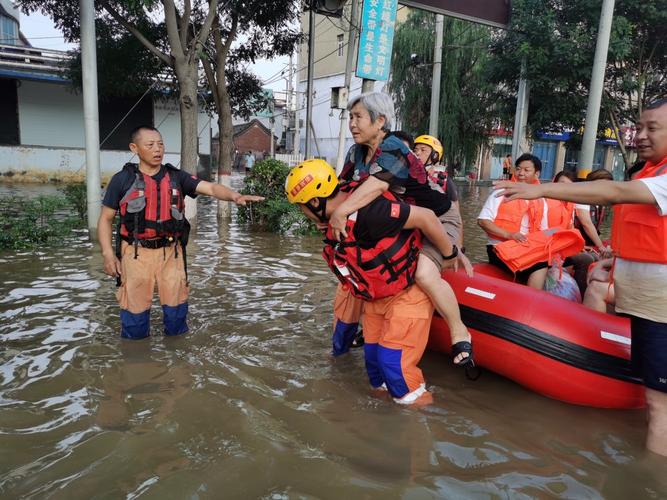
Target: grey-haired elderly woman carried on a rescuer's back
(384, 162)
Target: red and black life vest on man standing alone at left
(150, 210)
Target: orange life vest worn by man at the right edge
(639, 232)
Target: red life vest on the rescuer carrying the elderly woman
(377, 269)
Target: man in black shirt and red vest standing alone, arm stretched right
(150, 198)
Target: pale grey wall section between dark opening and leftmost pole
(50, 115)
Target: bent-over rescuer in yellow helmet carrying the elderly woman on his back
(376, 261)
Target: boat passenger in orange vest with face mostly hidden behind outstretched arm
(561, 214)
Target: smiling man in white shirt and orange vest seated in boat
(507, 220)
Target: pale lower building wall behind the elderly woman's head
(326, 121)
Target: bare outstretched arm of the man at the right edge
(595, 193)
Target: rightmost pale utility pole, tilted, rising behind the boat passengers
(585, 164)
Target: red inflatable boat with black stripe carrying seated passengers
(550, 345)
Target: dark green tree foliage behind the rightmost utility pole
(558, 37)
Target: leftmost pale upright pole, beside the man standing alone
(90, 113)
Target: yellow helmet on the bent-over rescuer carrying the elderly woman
(310, 179)
